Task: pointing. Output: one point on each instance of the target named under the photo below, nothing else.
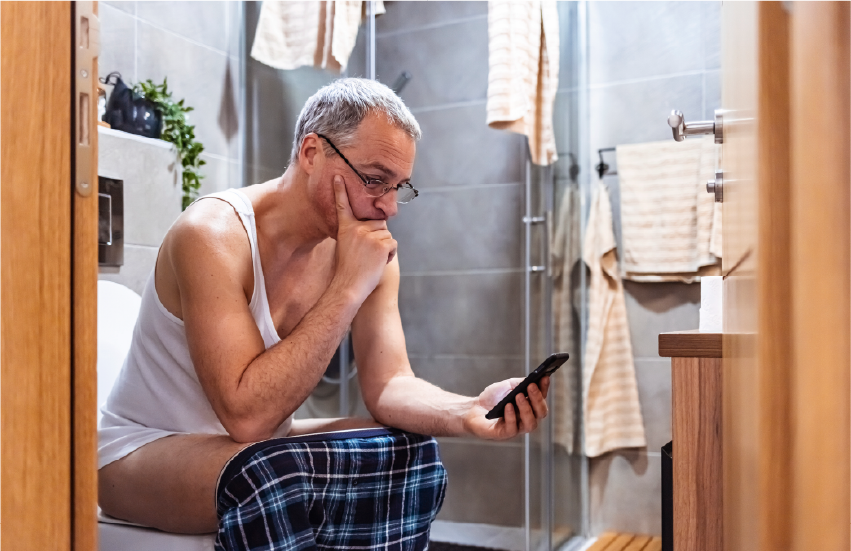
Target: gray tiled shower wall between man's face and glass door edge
(459, 242)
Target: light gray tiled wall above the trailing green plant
(195, 44)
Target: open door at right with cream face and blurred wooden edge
(756, 265)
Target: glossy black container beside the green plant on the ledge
(129, 112)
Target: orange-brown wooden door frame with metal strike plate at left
(48, 261)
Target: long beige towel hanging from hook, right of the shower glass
(610, 394)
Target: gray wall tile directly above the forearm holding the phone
(467, 376)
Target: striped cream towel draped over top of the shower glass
(523, 71)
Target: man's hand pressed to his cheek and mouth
(364, 247)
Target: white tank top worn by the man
(157, 393)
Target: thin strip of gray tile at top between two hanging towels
(410, 14)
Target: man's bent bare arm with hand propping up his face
(253, 391)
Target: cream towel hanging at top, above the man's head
(319, 33)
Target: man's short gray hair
(336, 111)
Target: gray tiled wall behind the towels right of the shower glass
(645, 59)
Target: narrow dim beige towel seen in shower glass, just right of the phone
(565, 264)
